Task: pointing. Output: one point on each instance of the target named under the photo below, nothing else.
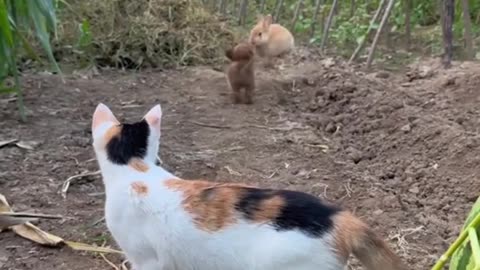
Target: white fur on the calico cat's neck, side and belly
(156, 233)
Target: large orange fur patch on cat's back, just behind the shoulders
(212, 205)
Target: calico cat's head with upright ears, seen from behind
(121, 143)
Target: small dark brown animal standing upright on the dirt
(240, 72)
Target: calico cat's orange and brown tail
(354, 236)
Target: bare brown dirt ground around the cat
(399, 150)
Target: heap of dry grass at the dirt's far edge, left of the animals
(145, 33)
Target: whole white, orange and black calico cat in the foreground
(162, 222)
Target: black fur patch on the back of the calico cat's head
(130, 143)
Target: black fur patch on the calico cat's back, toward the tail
(301, 211)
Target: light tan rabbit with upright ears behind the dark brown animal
(271, 40)
